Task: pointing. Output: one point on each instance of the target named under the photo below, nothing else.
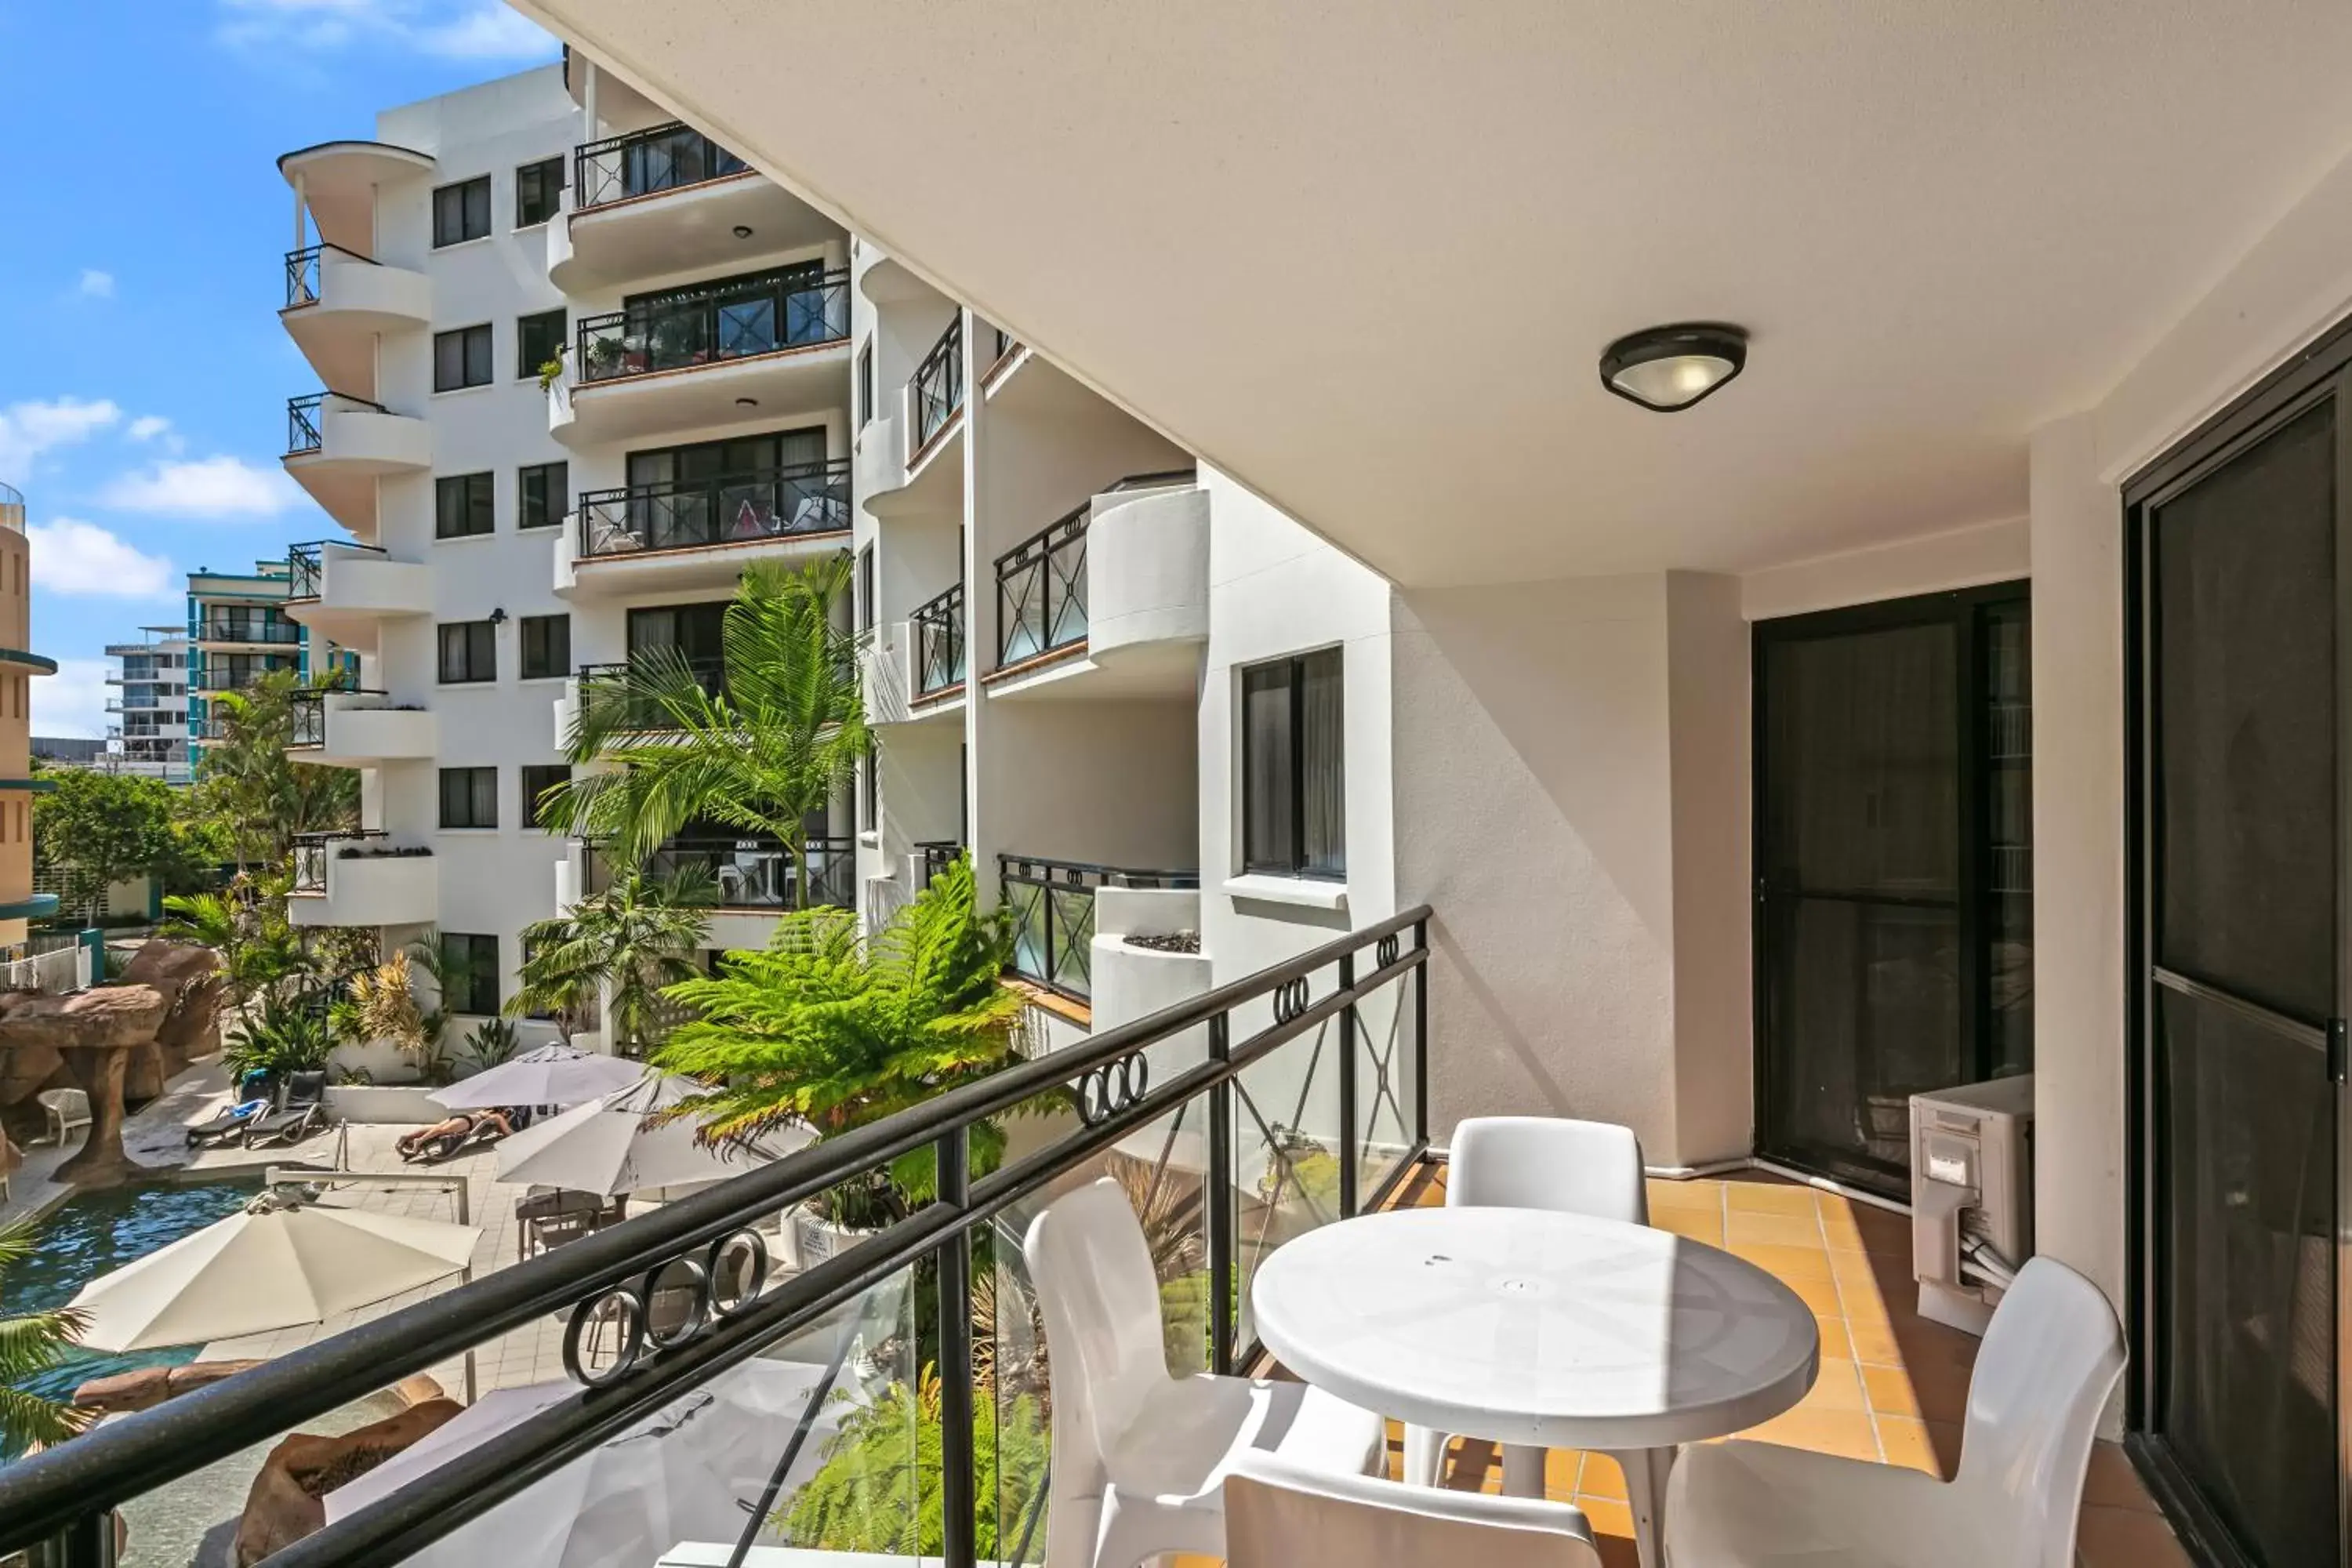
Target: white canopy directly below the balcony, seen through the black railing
(690, 1473)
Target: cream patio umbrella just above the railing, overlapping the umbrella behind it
(620, 1146)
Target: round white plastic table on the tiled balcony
(1542, 1329)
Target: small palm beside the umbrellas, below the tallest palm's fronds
(636, 937)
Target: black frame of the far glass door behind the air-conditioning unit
(1975, 862)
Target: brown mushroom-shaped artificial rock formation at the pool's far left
(161, 1010)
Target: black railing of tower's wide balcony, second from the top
(714, 326)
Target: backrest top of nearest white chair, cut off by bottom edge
(1281, 1515)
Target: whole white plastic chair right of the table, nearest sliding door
(2043, 1376)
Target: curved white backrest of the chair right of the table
(2043, 1379)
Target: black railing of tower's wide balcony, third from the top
(726, 511)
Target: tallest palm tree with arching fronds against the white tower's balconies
(777, 744)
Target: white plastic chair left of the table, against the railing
(1140, 1456)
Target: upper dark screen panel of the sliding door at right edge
(2245, 584)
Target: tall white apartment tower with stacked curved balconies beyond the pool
(577, 370)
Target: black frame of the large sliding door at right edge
(2320, 373)
